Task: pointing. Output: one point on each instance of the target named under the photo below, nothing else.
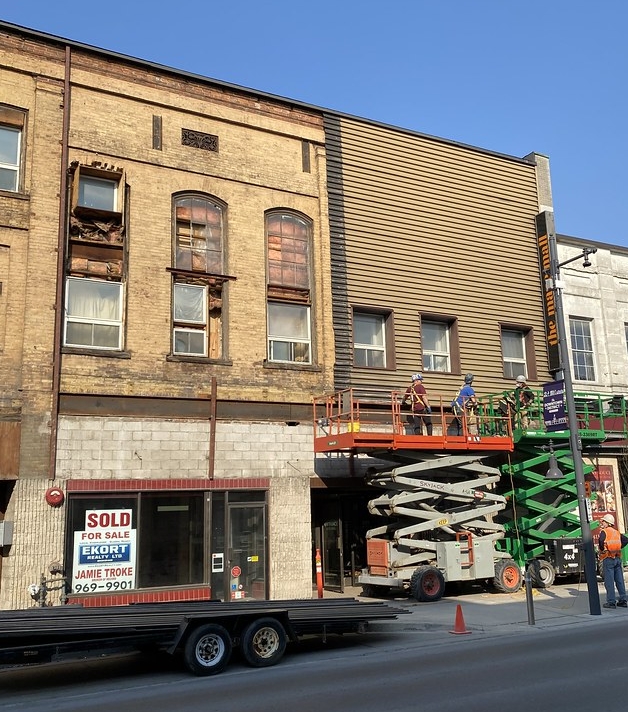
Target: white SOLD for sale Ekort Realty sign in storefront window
(104, 553)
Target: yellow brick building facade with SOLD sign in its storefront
(165, 320)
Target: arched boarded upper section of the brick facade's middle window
(199, 234)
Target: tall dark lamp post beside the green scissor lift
(575, 442)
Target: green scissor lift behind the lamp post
(541, 520)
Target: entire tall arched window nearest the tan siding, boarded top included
(288, 239)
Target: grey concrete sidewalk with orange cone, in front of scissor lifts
(493, 613)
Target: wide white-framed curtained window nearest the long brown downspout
(93, 314)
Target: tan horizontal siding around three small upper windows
(424, 226)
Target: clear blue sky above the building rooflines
(512, 76)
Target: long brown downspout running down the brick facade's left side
(56, 353)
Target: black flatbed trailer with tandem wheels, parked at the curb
(204, 633)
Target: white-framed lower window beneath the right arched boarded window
(289, 339)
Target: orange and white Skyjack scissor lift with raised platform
(439, 508)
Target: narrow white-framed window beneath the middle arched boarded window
(190, 319)
